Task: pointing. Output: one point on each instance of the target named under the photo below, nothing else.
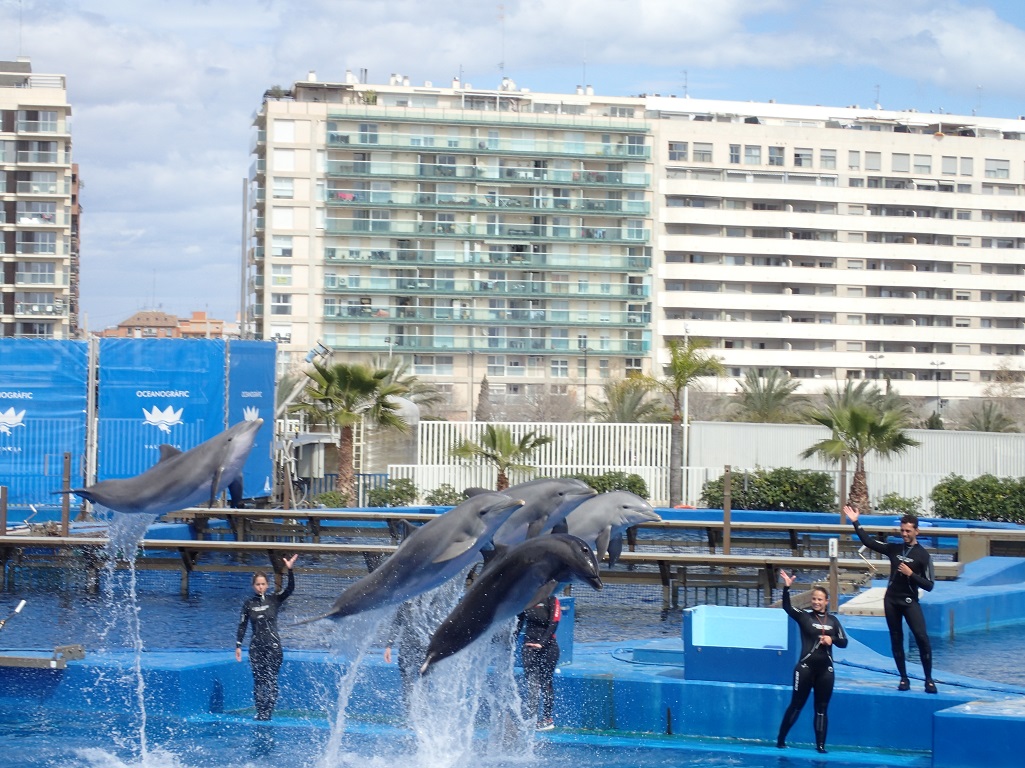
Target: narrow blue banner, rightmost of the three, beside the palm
(251, 395)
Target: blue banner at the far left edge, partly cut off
(44, 385)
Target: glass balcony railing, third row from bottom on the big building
(465, 287)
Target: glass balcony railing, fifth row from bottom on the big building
(483, 231)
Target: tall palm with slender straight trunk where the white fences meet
(687, 362)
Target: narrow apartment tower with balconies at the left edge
(39, 208)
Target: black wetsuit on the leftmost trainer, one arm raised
(265, 649)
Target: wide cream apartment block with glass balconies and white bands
(528, 236)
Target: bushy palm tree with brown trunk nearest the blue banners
(345, 394)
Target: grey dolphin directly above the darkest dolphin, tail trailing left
(431, 555)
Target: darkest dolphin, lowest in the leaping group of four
(521, 577)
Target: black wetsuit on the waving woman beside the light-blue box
(814, 670)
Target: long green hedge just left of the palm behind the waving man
(783, 489)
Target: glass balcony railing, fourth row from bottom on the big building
(519, 260)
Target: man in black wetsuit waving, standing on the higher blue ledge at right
(911, 570)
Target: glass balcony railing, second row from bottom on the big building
(475, 316)
